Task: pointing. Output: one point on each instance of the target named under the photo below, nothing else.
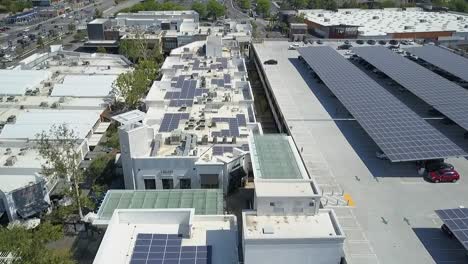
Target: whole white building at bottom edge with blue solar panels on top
(168, 236)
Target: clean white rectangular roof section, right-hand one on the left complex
(85, 86)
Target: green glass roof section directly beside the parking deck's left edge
(274, 158)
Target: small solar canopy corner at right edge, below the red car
(457, 221)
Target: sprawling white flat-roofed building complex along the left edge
(51, 88)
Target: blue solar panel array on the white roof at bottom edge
(167, 249)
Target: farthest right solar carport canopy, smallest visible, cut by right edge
(443, 59)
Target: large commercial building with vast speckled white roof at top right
(388, 23)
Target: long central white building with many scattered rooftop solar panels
(195, 132)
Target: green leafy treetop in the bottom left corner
(29, 246)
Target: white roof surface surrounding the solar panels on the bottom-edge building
(219, 232)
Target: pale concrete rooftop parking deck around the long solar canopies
(393, 219)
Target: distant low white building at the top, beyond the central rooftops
(164, 20)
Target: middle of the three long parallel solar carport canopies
(446, 97)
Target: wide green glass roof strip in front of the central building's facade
(204, 201)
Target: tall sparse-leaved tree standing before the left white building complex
(60, 148)
